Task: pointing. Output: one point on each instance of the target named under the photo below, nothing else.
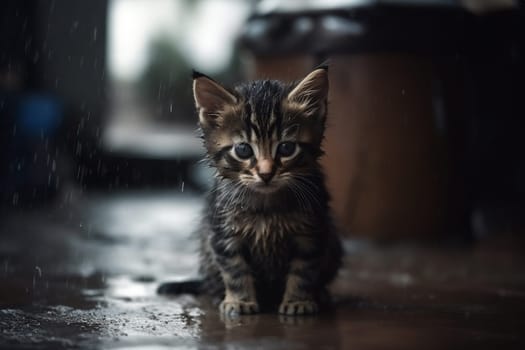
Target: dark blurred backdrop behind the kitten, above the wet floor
(425, 121)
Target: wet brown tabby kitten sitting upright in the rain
(267, 239)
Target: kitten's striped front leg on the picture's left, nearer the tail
(239, 288)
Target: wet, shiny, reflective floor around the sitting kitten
(82, 273)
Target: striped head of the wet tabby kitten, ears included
(263, 134)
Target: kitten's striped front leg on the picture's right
(302, 280)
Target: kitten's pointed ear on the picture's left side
(210, 99)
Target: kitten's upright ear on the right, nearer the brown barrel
(311, 92)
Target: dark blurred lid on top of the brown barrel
(346, 26)
